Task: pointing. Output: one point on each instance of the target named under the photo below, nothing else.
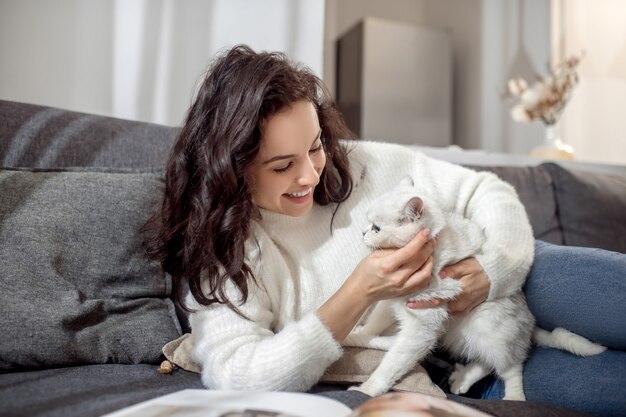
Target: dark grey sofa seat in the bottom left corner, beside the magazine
(88, 390)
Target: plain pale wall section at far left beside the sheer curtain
(57, 53)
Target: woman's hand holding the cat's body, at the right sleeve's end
(474, 287)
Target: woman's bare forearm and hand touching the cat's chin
(381, 275)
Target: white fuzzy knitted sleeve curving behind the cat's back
(493, 204)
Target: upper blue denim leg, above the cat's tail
(580, 289)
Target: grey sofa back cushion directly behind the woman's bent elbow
(535, 190)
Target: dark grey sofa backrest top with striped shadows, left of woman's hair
(44, 137)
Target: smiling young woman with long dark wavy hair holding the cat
(261, 227)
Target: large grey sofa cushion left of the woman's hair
(77, 287)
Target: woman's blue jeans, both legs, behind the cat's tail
(582, 290)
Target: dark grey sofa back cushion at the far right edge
(591, 206)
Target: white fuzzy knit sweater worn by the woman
(299, 265)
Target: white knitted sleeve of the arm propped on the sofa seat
(247, 354)
